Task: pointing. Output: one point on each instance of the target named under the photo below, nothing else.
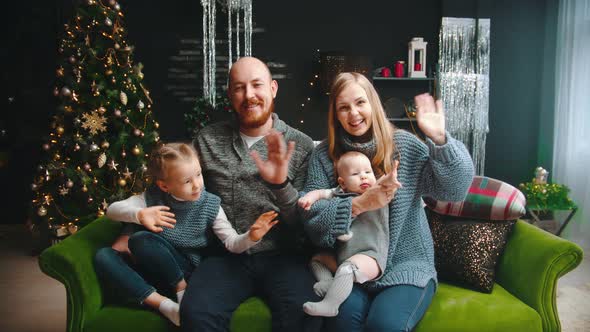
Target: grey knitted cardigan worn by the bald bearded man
(230, 173)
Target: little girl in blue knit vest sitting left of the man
(178, 212)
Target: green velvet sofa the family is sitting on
(523, 298)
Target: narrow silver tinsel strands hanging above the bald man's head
(209, 25)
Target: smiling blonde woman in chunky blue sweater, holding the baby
(441, 168)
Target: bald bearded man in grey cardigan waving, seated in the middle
(244, 170)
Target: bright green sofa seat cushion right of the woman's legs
(458, 309)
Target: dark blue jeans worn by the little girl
(156, 265)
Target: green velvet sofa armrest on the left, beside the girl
(71, 263)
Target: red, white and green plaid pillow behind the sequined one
(487, 199)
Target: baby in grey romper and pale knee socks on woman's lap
(362, 252)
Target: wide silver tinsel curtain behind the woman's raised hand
(464, 82)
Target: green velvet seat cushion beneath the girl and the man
(252, 315)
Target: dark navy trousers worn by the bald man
(221, 283)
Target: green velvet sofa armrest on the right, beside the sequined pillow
(532, 262)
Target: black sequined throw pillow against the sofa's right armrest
(466, 250)
